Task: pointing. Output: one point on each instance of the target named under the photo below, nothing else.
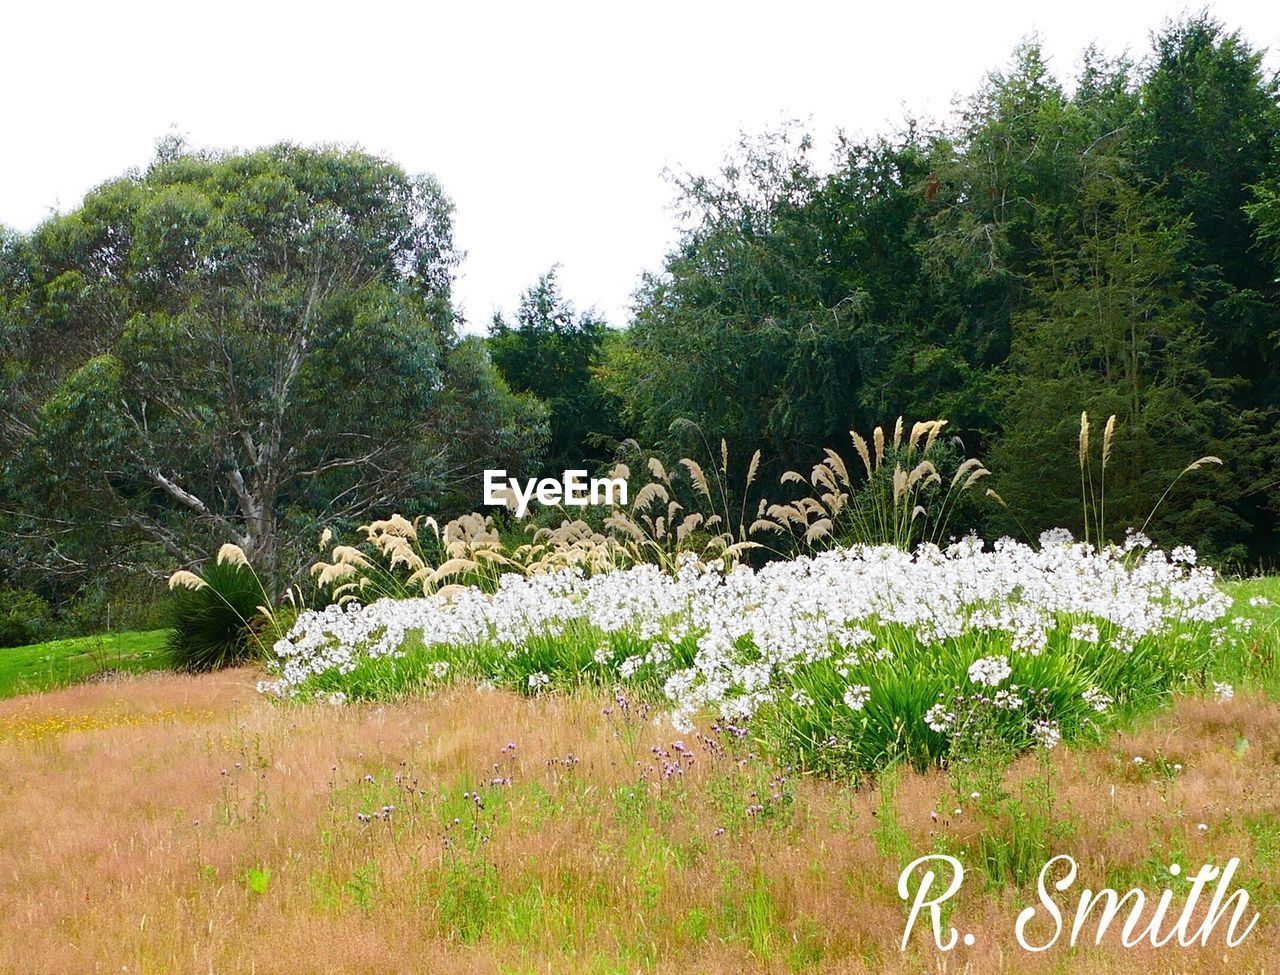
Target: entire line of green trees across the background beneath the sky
(250, 346)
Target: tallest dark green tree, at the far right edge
(1208, 135)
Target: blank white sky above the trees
(548, 123)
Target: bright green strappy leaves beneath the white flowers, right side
(819, 730)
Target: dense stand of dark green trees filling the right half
(1104, 246)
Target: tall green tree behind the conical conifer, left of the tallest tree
(1004, 184)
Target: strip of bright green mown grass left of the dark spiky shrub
(58, 663)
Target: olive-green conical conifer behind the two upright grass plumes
(1112, 329)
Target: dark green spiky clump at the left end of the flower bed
(221, 617)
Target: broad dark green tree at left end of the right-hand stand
(757, 327)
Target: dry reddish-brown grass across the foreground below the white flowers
(591, 866)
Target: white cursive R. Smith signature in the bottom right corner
(1146, 918)
